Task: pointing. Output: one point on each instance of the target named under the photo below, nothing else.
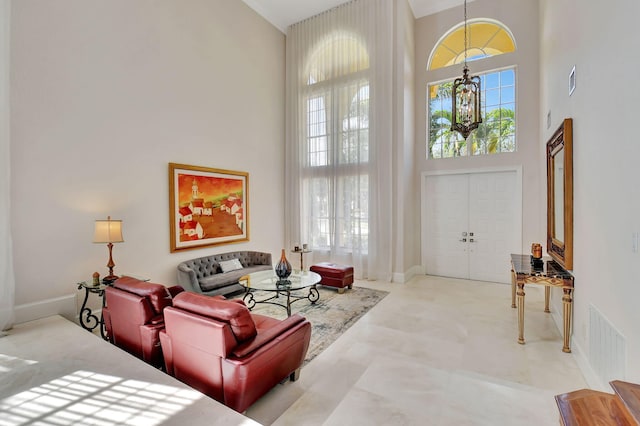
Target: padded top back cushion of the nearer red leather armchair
(235, 314)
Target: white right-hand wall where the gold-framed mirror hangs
(598, 38)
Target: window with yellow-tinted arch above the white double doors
(497, 133)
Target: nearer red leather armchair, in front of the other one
(221, 349)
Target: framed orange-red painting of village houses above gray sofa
(207, 206)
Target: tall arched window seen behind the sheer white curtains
(335, 173)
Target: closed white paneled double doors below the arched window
(472, 223)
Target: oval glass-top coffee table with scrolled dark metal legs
(285, 292)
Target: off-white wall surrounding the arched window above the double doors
(521, 18)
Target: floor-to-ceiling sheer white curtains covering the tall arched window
(338, 158)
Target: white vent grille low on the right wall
(607, 348)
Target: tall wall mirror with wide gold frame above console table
(560, 195)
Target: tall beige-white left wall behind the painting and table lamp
(104, 95)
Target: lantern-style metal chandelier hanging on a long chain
(465, 113)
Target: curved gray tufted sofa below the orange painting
(204, 275)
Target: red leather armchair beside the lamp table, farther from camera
(133, 316)
